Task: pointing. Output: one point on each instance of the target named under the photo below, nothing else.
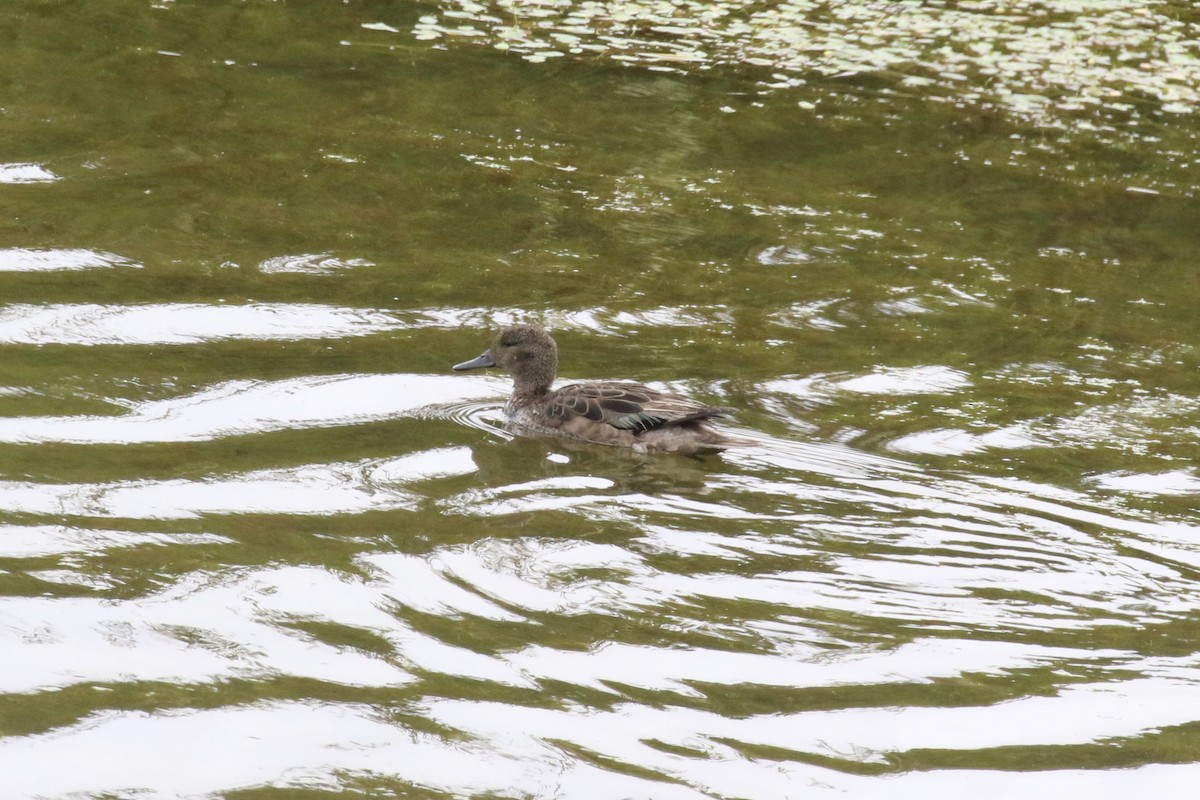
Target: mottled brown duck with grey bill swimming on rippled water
(609, 413)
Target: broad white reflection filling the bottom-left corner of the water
(206, 753)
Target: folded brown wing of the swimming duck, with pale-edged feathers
(629, 407)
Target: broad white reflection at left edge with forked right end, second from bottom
(199, 633)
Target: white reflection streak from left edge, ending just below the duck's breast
(351, 488)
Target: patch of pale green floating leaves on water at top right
(1035, 59)
